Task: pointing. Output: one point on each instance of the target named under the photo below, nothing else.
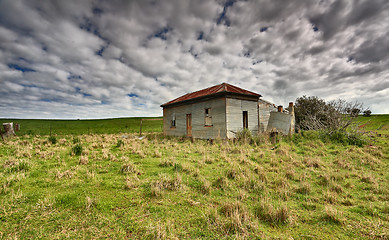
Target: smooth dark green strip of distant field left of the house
(79, 127)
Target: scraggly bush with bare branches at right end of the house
(313, 113)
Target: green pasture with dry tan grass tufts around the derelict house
(116, 185)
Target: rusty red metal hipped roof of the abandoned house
(221, 88)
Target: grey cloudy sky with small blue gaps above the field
(121, 58)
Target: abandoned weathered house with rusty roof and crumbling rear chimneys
(223, 110)
